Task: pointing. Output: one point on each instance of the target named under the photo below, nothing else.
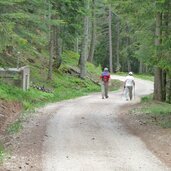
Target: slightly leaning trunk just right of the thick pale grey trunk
(93, 34)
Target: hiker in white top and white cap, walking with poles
(129, 84)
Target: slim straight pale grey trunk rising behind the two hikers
(110, 40)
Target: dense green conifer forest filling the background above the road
(128, 35)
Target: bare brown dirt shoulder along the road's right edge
(156, 138)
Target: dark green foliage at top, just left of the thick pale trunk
(71, 12)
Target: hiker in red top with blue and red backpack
(105, 76)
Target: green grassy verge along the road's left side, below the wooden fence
(64, 87)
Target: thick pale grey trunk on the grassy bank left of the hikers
(83, 57)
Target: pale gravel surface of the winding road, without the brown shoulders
(86, 135)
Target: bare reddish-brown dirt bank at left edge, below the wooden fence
(9, 112)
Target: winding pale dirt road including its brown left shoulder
(84, 134)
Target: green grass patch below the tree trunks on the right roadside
(158, 112)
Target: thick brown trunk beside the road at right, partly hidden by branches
(158, 71)
